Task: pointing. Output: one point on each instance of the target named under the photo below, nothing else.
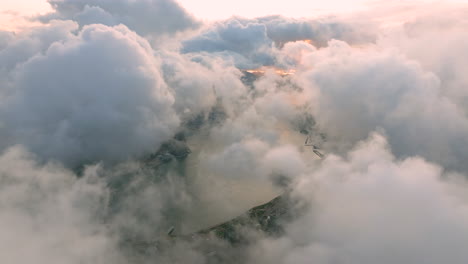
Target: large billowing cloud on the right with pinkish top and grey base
(356, 91)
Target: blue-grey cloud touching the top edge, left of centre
(147, 17)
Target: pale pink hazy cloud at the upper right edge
(445, 29)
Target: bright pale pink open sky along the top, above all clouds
(16, 14)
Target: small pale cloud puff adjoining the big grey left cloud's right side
(197, 81)
